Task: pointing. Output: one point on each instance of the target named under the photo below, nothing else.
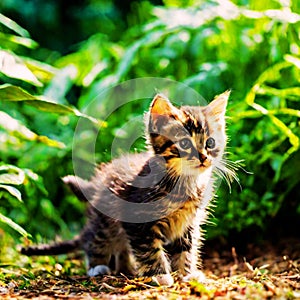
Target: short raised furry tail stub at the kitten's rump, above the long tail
(83, 189)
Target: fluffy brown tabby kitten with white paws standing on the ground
(170, 187)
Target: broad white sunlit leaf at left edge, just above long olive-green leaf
(12, 66)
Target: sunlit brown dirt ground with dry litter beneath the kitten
(264, 271)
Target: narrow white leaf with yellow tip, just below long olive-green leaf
(15, 128)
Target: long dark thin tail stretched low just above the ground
(53, 249)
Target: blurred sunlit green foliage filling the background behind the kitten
(67, 52)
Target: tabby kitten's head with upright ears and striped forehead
(191, 139)
